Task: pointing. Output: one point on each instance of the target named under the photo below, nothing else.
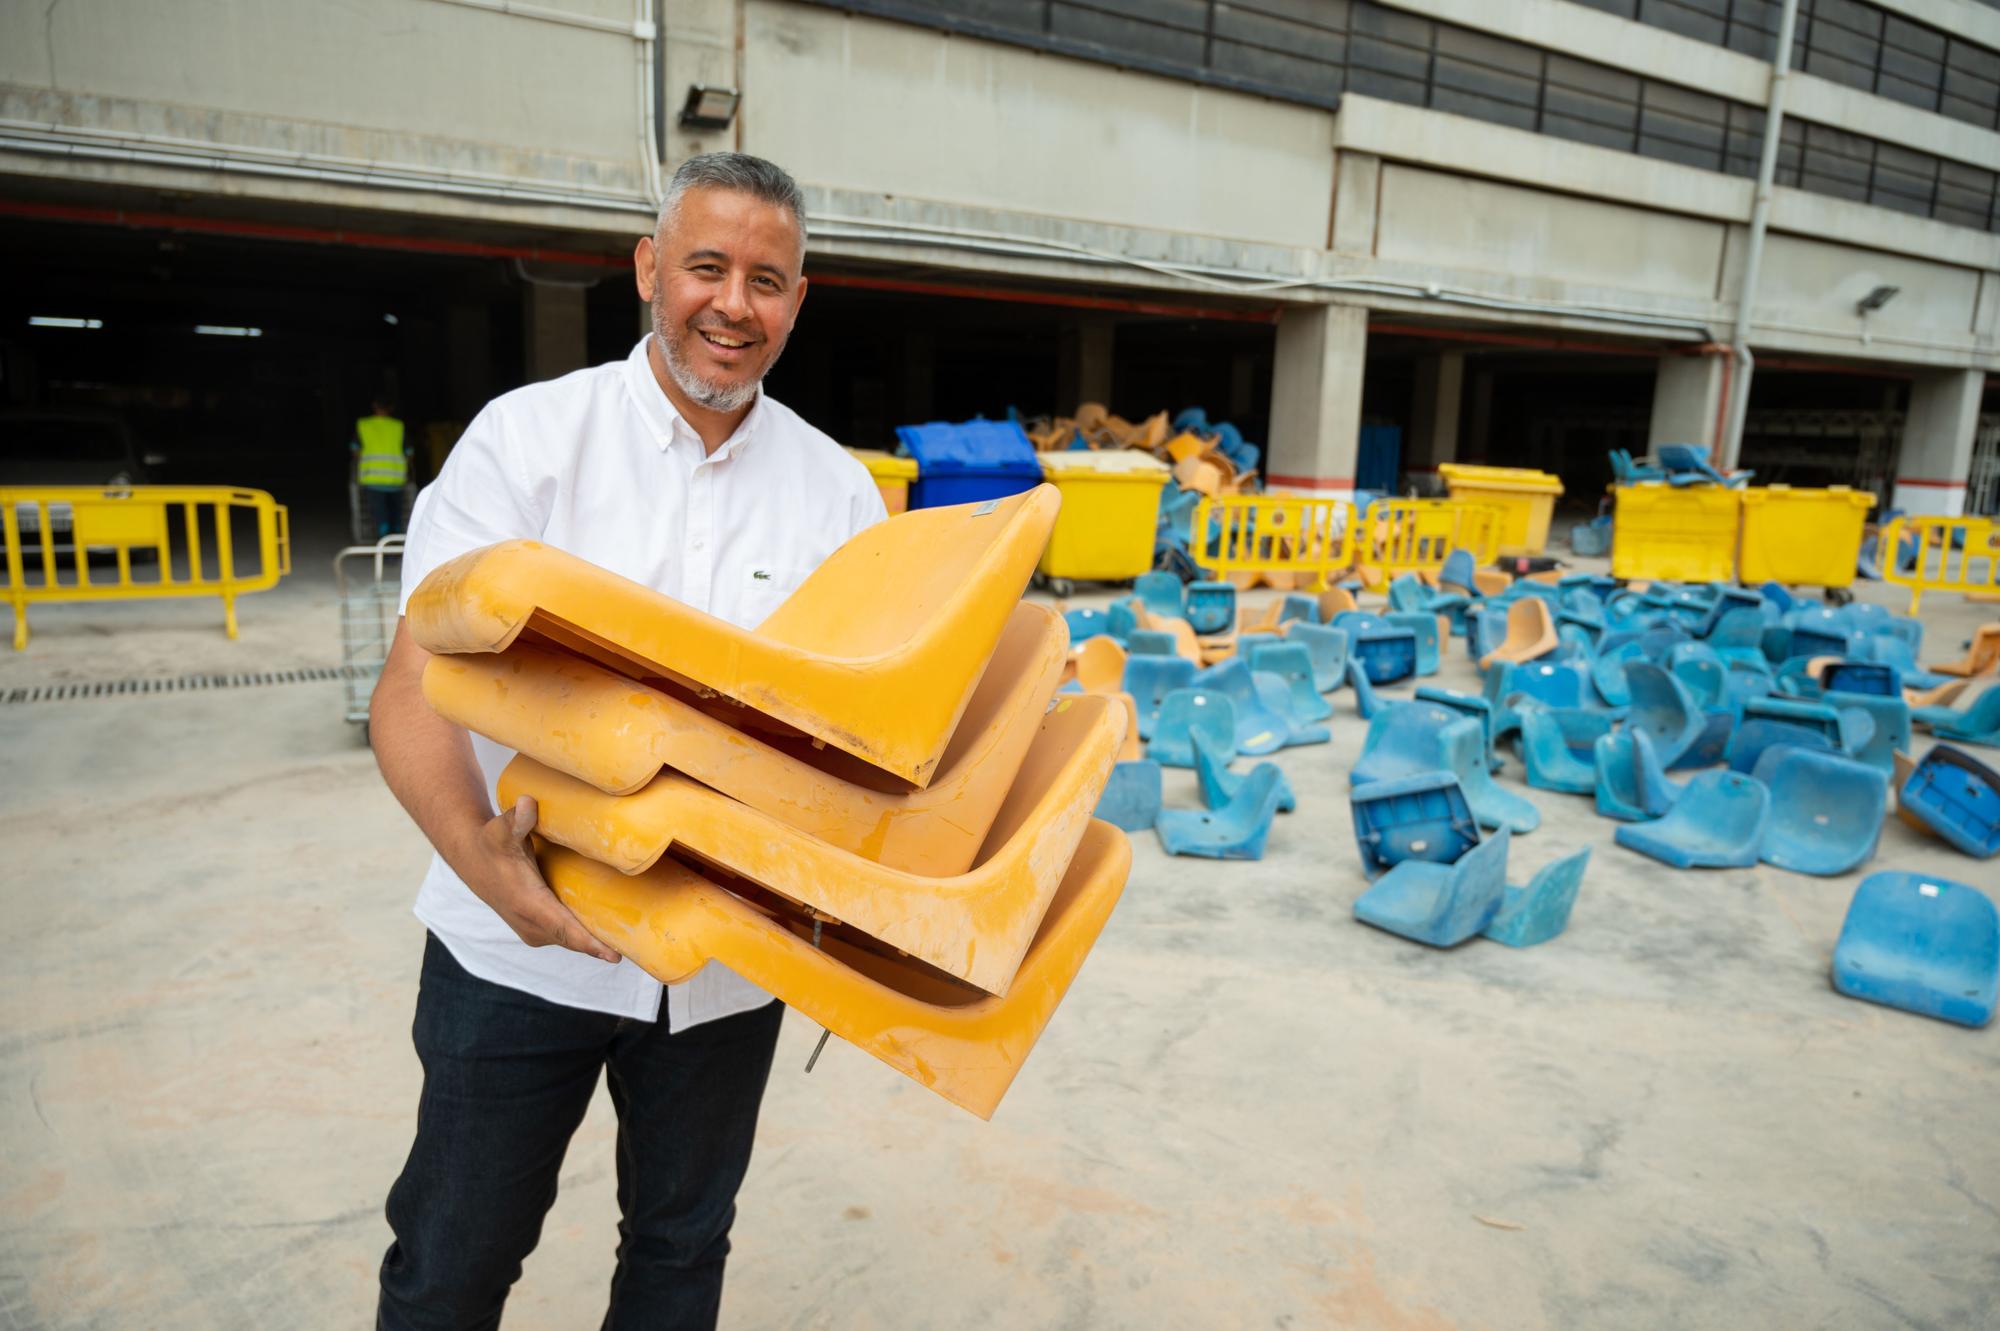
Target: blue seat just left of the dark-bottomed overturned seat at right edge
(1825, 810)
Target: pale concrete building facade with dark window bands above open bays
(1445, 181)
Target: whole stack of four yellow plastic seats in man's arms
(875, 806)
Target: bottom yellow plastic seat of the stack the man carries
(949, 1038)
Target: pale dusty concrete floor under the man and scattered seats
(1251, 1112)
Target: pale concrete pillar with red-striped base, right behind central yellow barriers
(1317, 399)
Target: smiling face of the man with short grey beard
(725, 285)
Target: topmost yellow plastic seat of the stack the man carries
(875, 655)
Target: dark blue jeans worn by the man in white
(507, 1080)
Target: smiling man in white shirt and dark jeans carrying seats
(675, 471)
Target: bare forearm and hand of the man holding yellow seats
(429, 766)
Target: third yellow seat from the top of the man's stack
(973, 926)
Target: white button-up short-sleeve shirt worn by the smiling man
(603, 467)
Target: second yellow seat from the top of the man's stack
(615, 734)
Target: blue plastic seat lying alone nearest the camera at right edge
(1921, 944)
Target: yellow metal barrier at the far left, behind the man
(81, 521)
